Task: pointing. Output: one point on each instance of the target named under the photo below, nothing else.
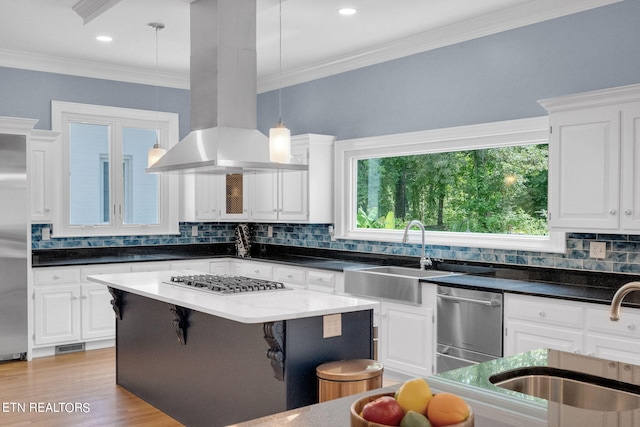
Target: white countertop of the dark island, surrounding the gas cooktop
(257, 307)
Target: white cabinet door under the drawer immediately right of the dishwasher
(521, 336)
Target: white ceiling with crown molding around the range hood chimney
(47, 35)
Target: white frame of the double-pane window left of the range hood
(62, 113)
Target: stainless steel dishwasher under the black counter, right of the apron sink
(469, 327)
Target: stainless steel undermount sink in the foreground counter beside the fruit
(571, 388)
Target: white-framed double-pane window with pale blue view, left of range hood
(104, 187)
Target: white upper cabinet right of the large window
(594, 159)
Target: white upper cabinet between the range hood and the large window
(297, 196)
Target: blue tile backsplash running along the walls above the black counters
(623, 251)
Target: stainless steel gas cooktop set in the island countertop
(225, 284)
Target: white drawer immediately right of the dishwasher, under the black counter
(544, 310)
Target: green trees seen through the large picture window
(494, 190)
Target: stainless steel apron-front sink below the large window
(389, 282)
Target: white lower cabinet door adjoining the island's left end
(98, 318)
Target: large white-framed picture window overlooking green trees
(479, 186)
